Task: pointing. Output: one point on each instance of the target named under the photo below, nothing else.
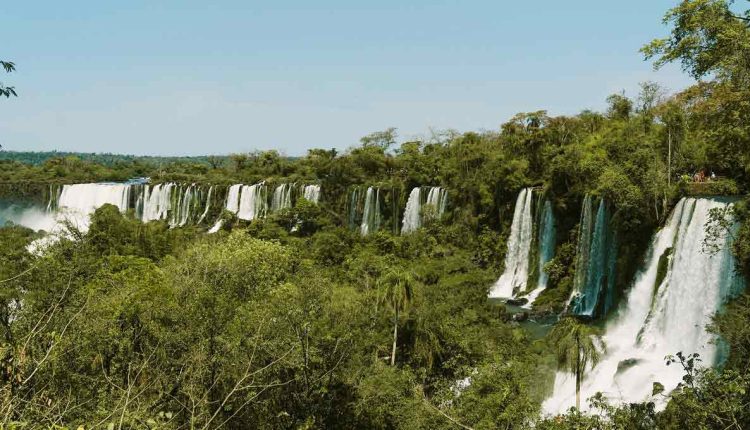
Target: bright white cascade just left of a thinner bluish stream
(516, 274)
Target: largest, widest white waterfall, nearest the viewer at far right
(661, 317)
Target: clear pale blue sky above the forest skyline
(198, 77)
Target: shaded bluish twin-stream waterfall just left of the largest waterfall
(594, 281)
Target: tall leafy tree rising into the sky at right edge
(712, 42)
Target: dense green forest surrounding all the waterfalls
(138, 325)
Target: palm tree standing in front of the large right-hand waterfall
(575, 348)
